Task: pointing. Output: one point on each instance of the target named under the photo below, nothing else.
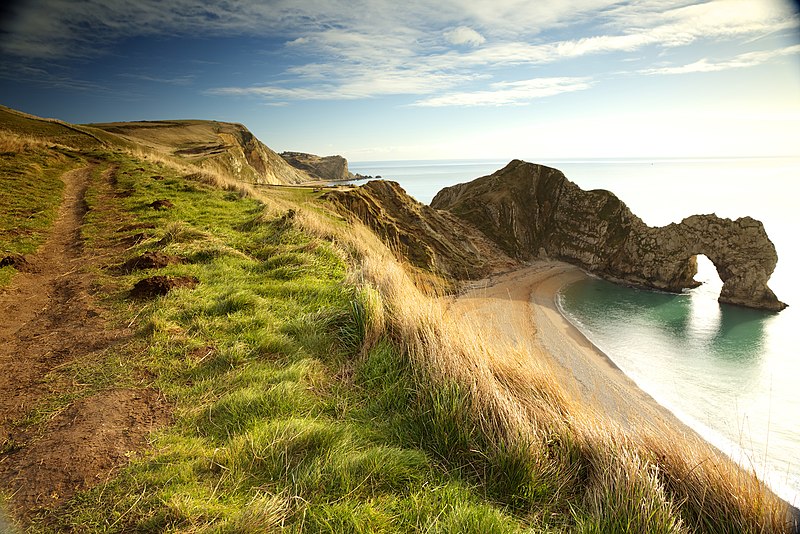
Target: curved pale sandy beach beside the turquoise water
(590, 374)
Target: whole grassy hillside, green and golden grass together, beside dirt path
(314, 388)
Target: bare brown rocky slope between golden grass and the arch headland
(430, 239)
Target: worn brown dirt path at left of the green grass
(49, 319)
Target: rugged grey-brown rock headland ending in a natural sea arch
(534, 211)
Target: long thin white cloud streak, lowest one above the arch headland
(509, 93)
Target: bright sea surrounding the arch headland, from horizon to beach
(730, 373)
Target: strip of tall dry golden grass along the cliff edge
(654, 480)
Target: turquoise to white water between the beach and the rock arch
(723, 370)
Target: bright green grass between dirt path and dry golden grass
(279, 420)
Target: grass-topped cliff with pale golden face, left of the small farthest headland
(227, 147)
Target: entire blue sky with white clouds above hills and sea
(448, 79)
